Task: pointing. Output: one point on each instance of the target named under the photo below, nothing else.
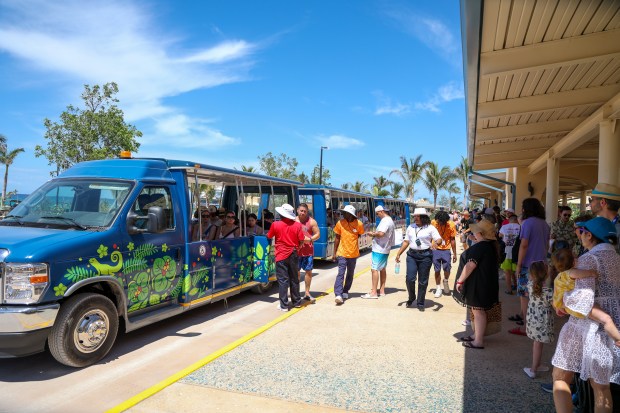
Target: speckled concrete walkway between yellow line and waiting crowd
(368, 356)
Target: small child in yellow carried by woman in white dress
(563, 260)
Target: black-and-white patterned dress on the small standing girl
(540, 315)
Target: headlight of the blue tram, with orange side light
(24, 283)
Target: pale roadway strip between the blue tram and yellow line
(139, 359)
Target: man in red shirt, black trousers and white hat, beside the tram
(289, 237)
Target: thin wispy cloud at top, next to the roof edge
(432, 32)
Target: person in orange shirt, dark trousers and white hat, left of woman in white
(347, 231)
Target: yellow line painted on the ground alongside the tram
(127, 404)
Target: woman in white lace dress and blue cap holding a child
(583, 346)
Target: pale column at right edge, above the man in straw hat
(609, 152)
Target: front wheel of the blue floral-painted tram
(92, 311)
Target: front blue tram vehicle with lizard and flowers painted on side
(108, 245)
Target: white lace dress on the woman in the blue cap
(583, 346)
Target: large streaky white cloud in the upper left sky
(99, 42)
